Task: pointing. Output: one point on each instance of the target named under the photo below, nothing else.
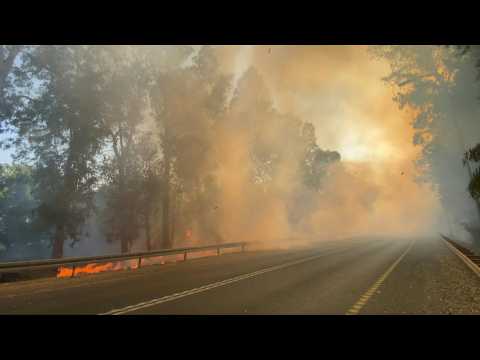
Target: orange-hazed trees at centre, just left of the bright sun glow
(271, 158)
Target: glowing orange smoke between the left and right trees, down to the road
(339, 90)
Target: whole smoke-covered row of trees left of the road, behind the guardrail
(146, 147)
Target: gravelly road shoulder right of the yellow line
(429, 280)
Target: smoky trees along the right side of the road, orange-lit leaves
(439, 86)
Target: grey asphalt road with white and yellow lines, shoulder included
(357, 276)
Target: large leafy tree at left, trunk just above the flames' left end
(58, 130)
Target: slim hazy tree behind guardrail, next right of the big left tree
(123, 101)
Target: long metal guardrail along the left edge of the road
(53, 263)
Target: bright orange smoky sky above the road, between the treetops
(339, 89)
